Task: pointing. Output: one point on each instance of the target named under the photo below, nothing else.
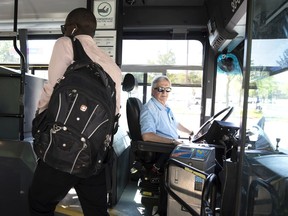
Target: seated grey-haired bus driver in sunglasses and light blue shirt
(157, 121)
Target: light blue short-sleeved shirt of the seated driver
(156, 118)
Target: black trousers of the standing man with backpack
(50, 186)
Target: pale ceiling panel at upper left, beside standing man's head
(36, 14)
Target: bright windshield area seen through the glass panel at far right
(268, 93)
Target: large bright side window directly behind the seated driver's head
(181, 61)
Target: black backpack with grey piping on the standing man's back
(74, 134)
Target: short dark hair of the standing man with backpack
(84, 19)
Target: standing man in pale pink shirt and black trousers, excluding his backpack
(49, 185)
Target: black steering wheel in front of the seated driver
(221, 116)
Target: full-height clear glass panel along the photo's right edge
(266, 137)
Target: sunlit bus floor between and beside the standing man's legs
(129, 204)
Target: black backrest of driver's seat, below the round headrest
(133, 109)
